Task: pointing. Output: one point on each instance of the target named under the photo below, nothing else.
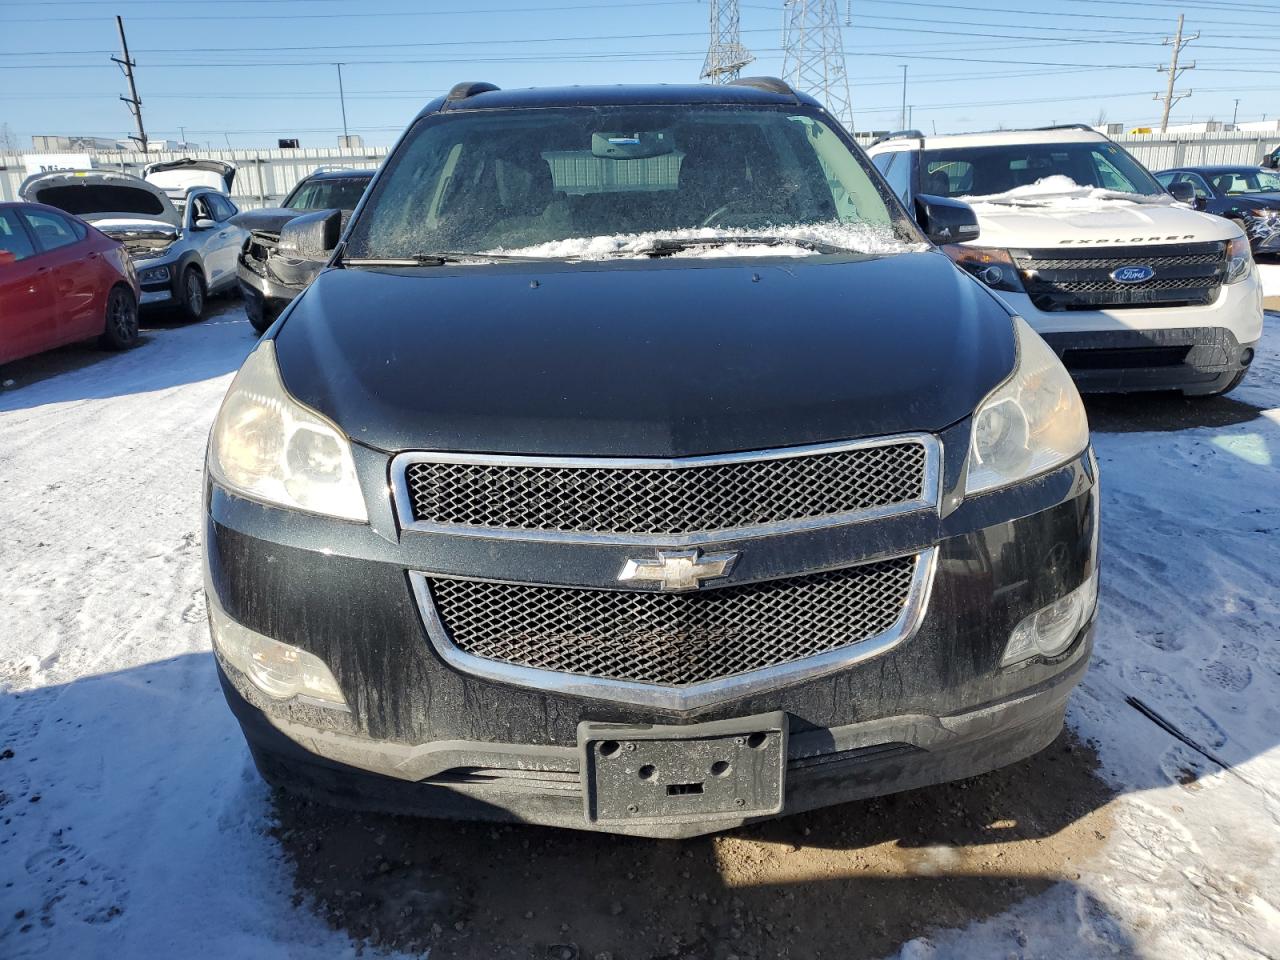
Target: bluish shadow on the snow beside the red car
(168, 355)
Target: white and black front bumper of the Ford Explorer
(1196, 350)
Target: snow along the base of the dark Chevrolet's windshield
(871, 240)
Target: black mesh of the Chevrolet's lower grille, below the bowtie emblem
(673, 639)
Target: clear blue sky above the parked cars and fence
(250, 71)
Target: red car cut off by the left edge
(61, 282)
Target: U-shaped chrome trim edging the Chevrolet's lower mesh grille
(696, 696)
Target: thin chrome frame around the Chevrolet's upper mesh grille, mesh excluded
(404, 501)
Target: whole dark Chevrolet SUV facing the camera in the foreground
(637, 465)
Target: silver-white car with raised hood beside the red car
(176, 225)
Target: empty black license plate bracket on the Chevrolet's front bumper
(725, 770)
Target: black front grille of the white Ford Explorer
(1186, 275)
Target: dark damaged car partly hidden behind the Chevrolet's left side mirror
(268, 281)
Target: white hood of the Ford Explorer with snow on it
(1105, 223)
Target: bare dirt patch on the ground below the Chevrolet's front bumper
(853, 881)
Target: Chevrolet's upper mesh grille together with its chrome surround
(671, 502)
